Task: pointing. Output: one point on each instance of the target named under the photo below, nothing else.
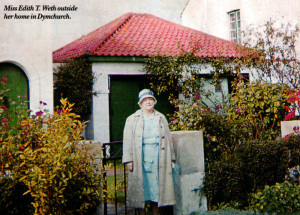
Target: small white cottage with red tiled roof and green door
(117, 51)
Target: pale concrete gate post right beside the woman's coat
(189, 151)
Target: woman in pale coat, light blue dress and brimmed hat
(148, 153)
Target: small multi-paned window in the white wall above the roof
(235, 26)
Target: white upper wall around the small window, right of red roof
(210, 16)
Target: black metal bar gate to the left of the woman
(112, 154)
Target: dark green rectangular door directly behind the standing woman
(124, 90)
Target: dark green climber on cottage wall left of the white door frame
(75, 81)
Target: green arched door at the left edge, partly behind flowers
(16, 83)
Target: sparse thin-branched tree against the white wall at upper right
(273, 54)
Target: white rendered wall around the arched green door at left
(17, 47)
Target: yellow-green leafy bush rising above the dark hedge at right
(260, 107)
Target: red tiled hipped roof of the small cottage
(145, 35)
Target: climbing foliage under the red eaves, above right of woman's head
(181, 74)
